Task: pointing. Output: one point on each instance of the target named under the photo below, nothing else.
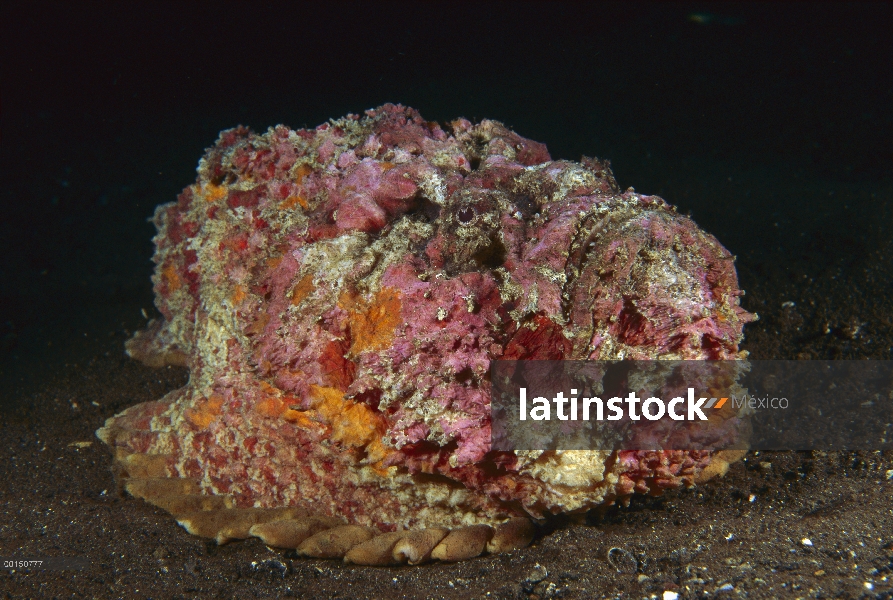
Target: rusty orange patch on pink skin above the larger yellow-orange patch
(372, 324)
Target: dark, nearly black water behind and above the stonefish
(770, 123)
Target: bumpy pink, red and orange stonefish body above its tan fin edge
(339, 293)
